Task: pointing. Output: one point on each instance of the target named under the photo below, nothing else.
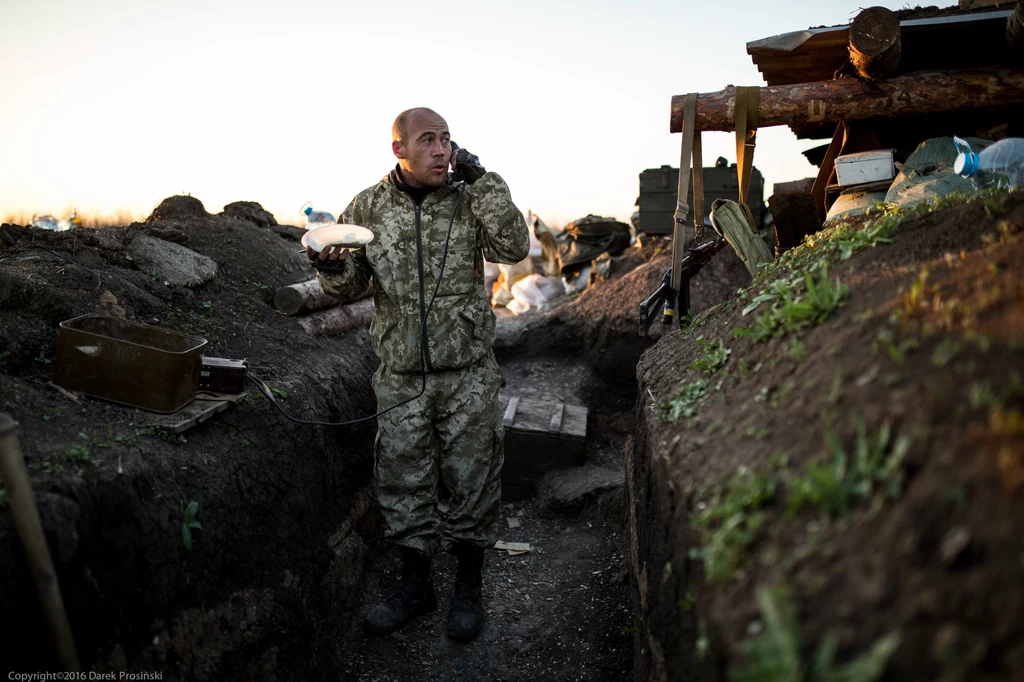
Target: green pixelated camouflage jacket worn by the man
(460, 325)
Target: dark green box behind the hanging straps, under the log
(658, 196)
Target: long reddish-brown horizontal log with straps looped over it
(851, 99)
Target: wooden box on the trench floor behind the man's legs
(540, 436)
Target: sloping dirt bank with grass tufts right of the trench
(921, 369)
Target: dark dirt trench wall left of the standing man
(288, 531)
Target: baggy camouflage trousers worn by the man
(452, 432)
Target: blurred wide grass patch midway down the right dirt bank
(737, 508)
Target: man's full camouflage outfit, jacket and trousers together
(453, 430)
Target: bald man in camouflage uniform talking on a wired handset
(434, 330)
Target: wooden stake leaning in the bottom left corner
(30, 530)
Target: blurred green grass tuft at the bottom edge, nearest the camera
(777, 655)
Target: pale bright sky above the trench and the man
(112, 107)
